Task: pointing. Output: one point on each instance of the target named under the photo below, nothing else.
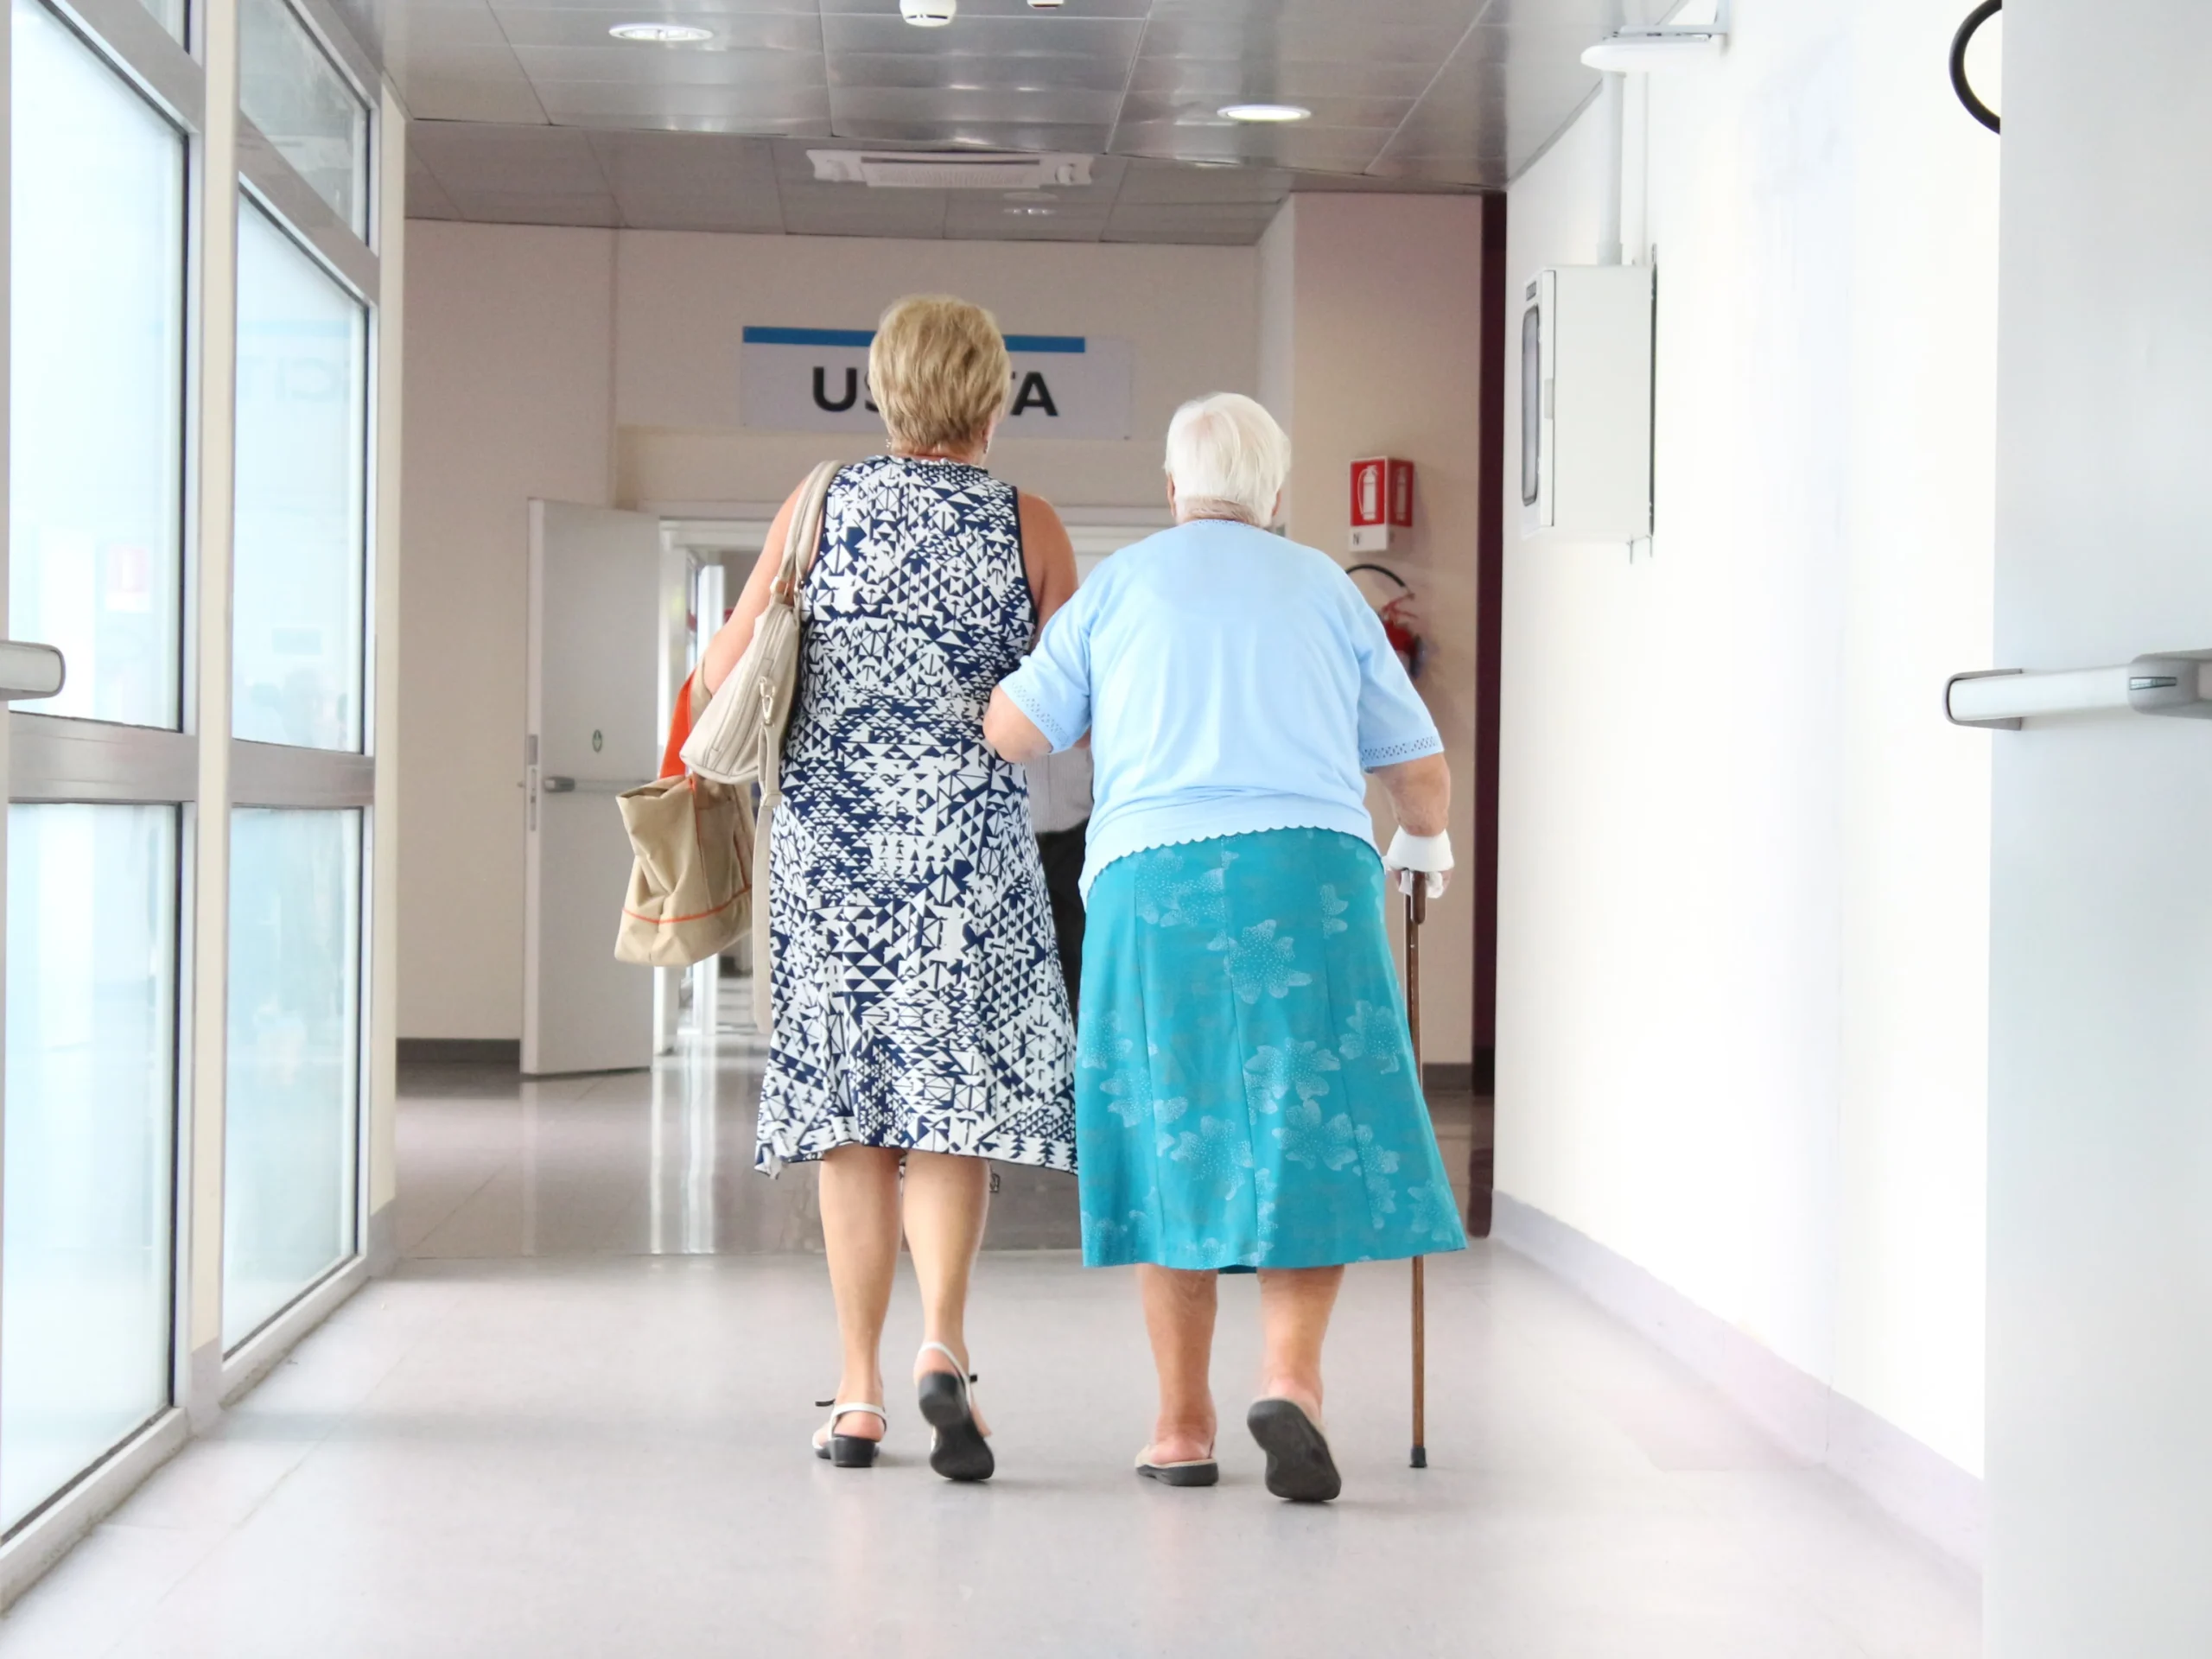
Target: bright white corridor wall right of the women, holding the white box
(1744, 890)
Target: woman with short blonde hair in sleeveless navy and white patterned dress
(921, 1023)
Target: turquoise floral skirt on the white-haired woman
(1244, 1081)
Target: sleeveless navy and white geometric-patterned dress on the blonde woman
(917, 985)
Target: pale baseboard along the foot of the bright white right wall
(1917, 1485)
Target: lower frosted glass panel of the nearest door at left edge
(92, 1103)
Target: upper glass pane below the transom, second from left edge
(300, 512)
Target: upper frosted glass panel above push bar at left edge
(96, 377)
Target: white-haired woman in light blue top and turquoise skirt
(1246, 1092)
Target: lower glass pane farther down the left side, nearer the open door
(293, 1100)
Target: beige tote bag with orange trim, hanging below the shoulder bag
(691, 870)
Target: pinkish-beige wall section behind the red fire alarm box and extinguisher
(1373, 346)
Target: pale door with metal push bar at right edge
(2100, 1092)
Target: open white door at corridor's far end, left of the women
(594, 711)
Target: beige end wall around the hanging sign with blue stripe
(601, 368)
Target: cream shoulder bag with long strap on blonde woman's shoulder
(740, 738)
